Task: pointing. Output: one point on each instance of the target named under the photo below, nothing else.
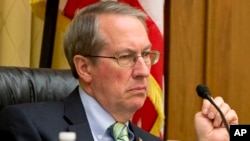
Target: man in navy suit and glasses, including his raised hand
(108, 50)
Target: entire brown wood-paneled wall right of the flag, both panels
(209, 43)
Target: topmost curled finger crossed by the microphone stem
(212, 111)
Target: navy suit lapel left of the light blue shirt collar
(76, 117)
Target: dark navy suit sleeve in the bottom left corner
(15, 125)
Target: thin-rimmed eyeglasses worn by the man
(129, 59)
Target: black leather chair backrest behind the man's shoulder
(27, 85)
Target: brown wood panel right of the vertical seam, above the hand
(228, 59)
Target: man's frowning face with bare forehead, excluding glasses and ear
(121, 89)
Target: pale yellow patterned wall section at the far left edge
(15, 32)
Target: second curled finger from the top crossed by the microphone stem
(225, 108)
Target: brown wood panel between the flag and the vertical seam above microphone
(185, 67)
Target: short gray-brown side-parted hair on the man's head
(82, 36)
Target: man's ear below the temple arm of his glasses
(82, 67)
